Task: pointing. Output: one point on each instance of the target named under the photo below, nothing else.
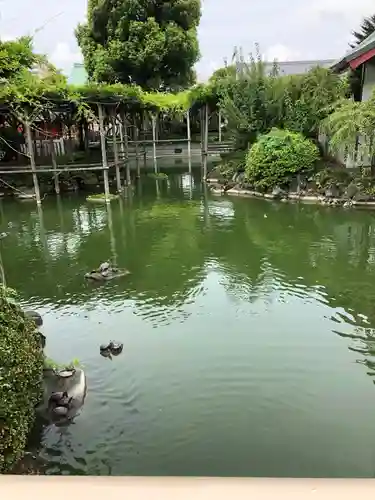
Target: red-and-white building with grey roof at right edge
(361, 57)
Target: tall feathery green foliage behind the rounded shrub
(256, 102)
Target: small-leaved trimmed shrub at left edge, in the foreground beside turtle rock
(21, 372)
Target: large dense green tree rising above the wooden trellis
(152, 43)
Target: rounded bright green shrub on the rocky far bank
(277, 157)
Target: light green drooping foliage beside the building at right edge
(348, 122)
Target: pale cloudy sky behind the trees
(300, 29)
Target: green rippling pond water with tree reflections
(248, 331)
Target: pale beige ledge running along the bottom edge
(138, 488)
